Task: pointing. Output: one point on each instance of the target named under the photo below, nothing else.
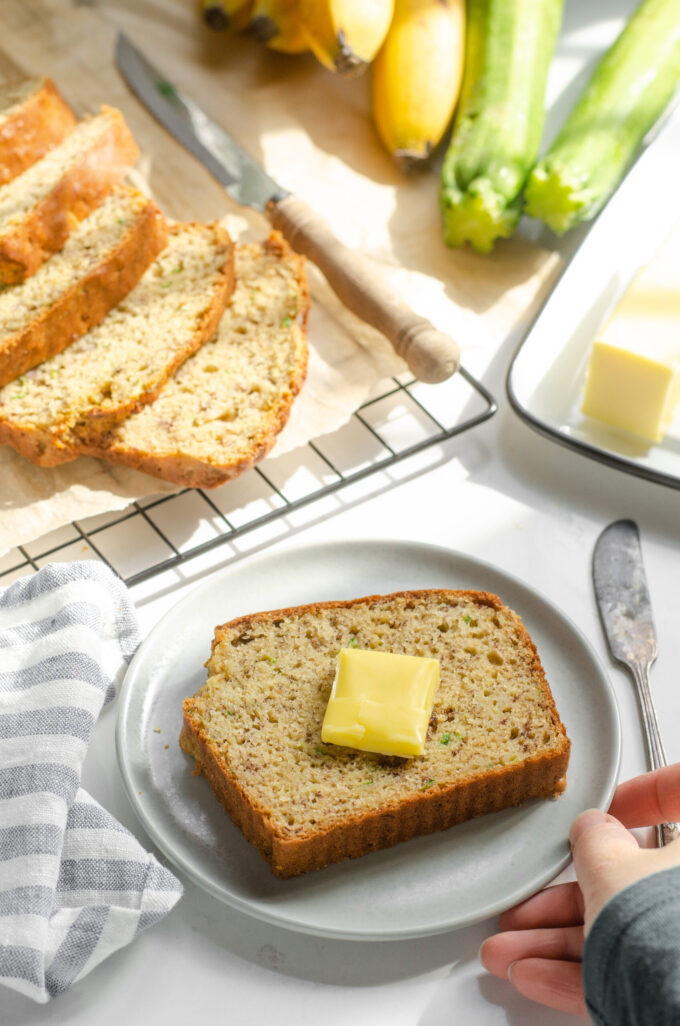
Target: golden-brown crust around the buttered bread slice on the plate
(407, 812)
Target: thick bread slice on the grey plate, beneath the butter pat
(495, 740)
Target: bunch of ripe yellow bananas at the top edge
(416, 48)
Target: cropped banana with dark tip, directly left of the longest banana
(346, 35)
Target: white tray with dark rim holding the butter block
(547, 376)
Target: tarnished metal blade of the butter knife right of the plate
(623, 599)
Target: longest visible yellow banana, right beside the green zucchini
(417, 77)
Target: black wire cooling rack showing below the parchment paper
(161, 533)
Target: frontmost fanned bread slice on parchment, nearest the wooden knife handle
(223, 410)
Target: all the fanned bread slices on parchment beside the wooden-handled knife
(166, 348)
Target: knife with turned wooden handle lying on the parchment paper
(430, 354)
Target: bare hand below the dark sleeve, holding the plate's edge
(541, 942)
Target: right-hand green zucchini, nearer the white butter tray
(630, 89)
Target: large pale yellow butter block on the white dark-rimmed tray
(633, 378)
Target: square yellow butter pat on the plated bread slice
(381, 702)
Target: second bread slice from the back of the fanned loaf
(42, 208)
